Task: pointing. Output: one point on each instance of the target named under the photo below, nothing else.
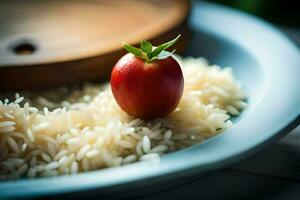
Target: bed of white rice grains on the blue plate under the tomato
(77, 129)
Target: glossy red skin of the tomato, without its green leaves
(147, 90)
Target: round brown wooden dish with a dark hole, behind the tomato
(50, 43)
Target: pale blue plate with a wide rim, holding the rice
(264, 61)
